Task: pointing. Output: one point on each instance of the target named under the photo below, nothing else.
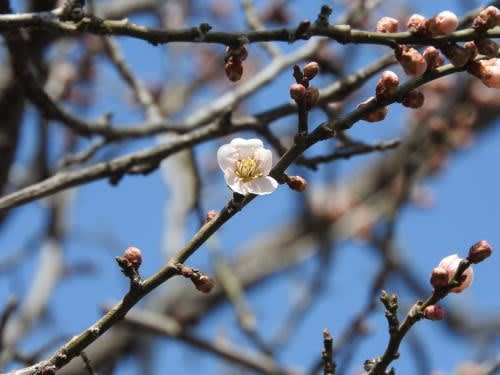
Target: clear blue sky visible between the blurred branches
(466, 210)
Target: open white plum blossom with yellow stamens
(246, 165)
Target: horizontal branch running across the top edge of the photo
(341, 33)
